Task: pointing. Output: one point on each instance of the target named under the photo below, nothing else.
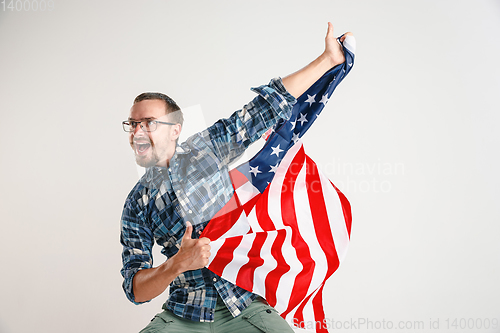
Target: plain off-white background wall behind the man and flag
(410, 137)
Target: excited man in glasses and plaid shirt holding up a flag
(182, 189)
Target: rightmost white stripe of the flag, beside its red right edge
(336, 218)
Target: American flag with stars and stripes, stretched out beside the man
(287, 227)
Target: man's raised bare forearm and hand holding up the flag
(298, 82)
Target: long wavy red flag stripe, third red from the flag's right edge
(303, 279)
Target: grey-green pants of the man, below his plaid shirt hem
(257, 318)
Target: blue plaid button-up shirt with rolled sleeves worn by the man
(194, 188)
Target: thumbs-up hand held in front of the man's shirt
(193, 253)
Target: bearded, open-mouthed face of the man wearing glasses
(157, 147)
